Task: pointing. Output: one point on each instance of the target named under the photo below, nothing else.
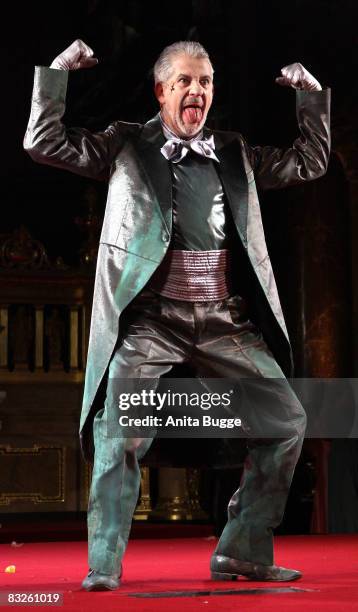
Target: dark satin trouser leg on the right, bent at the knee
(239, 352)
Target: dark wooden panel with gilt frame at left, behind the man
(40, 460)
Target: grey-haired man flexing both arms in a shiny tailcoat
(182, 256)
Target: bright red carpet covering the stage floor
(179, 569)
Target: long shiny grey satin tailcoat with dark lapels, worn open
(138, 218)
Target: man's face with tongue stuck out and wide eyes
(187, 96)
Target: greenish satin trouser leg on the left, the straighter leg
(143, 353)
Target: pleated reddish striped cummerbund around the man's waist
(193, 276)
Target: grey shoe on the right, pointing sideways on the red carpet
(225, 568)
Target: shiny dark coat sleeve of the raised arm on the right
(308, 157)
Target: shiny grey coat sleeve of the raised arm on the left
(48, 141)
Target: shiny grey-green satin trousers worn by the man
(219, 340)
